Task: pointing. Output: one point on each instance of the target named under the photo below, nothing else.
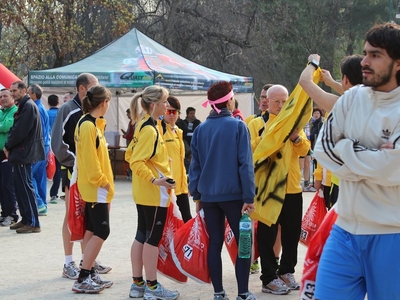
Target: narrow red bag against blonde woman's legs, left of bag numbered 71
(166, 264)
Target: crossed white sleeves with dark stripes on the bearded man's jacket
(349, 159)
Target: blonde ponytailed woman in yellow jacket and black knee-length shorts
(151, 188)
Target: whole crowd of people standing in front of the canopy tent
(352, 137)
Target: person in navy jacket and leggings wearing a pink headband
(221, 181)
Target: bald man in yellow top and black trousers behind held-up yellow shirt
(279, 280)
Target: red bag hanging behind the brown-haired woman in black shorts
(76, 210)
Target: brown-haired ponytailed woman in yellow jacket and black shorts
(95, 184)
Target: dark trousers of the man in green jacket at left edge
(8, 199)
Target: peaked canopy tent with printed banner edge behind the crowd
(135, 61)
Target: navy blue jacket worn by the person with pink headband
(221, 168)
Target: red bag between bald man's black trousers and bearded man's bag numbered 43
(313, 218)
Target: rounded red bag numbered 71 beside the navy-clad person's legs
(189, 249)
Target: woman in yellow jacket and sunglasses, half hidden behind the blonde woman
(173, 139)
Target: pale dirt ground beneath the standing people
(31, 264)
